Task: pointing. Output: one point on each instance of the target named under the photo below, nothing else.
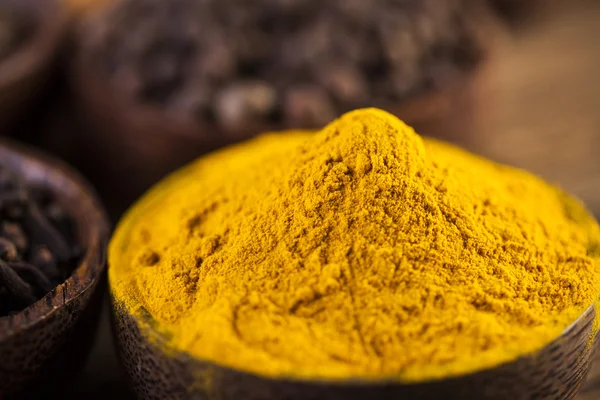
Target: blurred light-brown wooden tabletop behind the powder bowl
(535, 104)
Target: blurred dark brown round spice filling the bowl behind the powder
(243, 63)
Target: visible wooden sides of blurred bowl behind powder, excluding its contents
(143, 144)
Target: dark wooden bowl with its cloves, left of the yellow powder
(53, 233)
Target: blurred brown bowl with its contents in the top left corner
(31, 32)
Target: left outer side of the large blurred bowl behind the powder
(129, 146)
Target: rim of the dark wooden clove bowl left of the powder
(91, 222)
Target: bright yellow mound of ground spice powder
(362, 250)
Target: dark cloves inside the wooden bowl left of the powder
(38, 250)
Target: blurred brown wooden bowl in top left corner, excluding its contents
(23, 72)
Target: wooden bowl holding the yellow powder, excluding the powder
(555, 372)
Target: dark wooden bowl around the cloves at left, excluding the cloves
(46, 344)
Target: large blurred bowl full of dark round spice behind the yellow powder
(160, 83)
